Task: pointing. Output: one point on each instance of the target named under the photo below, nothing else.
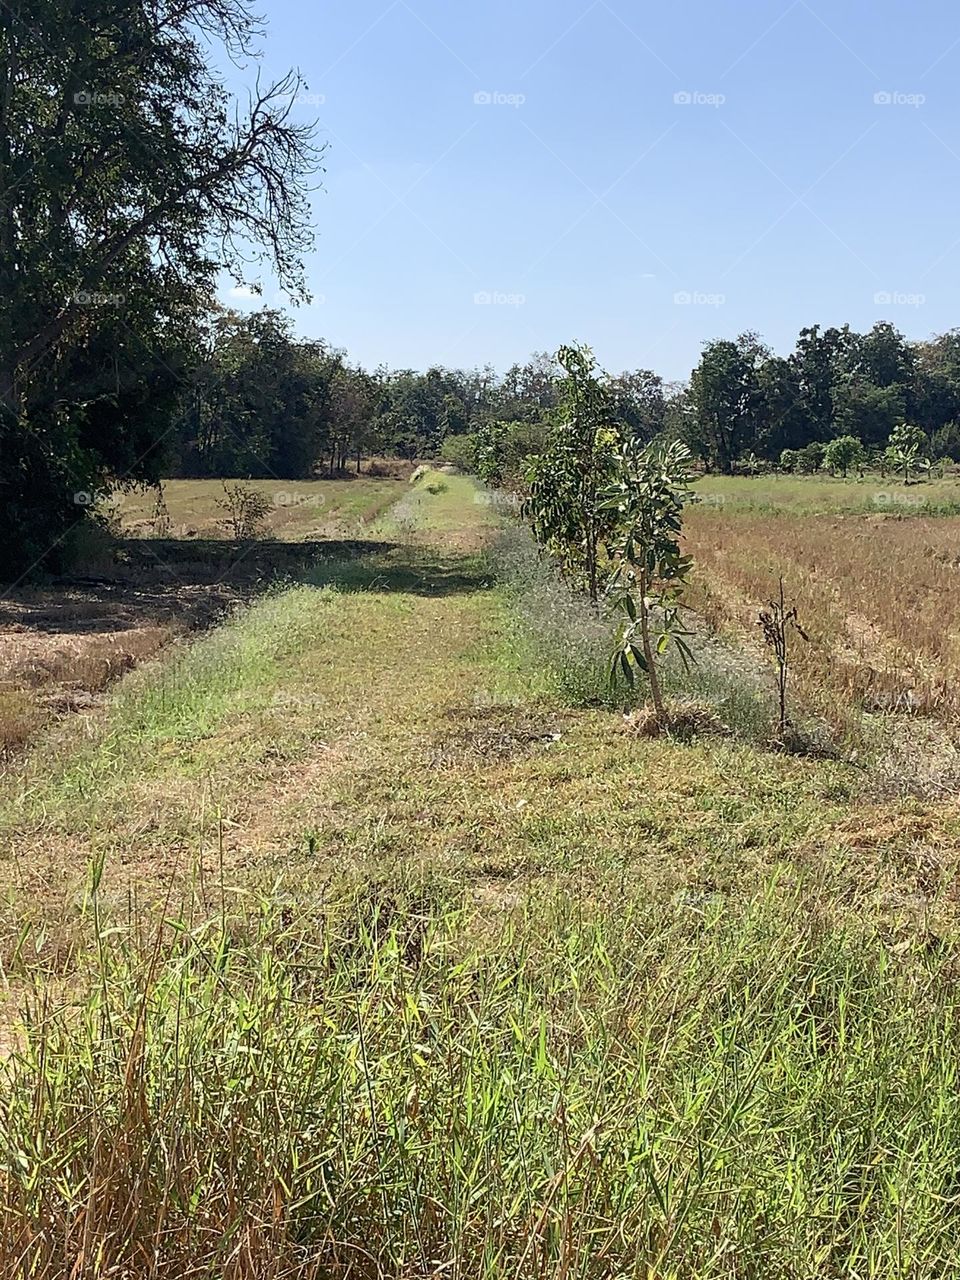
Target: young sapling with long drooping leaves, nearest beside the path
(647, 501)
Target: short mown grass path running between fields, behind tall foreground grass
(385, 717)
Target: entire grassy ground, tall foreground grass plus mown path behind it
(342, 943)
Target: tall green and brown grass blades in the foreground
(606, 1087)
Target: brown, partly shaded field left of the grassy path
(62, 644)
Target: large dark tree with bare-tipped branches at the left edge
(129, 181)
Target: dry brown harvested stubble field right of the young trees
(879, 597)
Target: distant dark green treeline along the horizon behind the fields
(268, 404)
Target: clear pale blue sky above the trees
(584, 198)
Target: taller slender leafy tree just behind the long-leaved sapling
(568, 482)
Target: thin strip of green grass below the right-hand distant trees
(830, 496)
